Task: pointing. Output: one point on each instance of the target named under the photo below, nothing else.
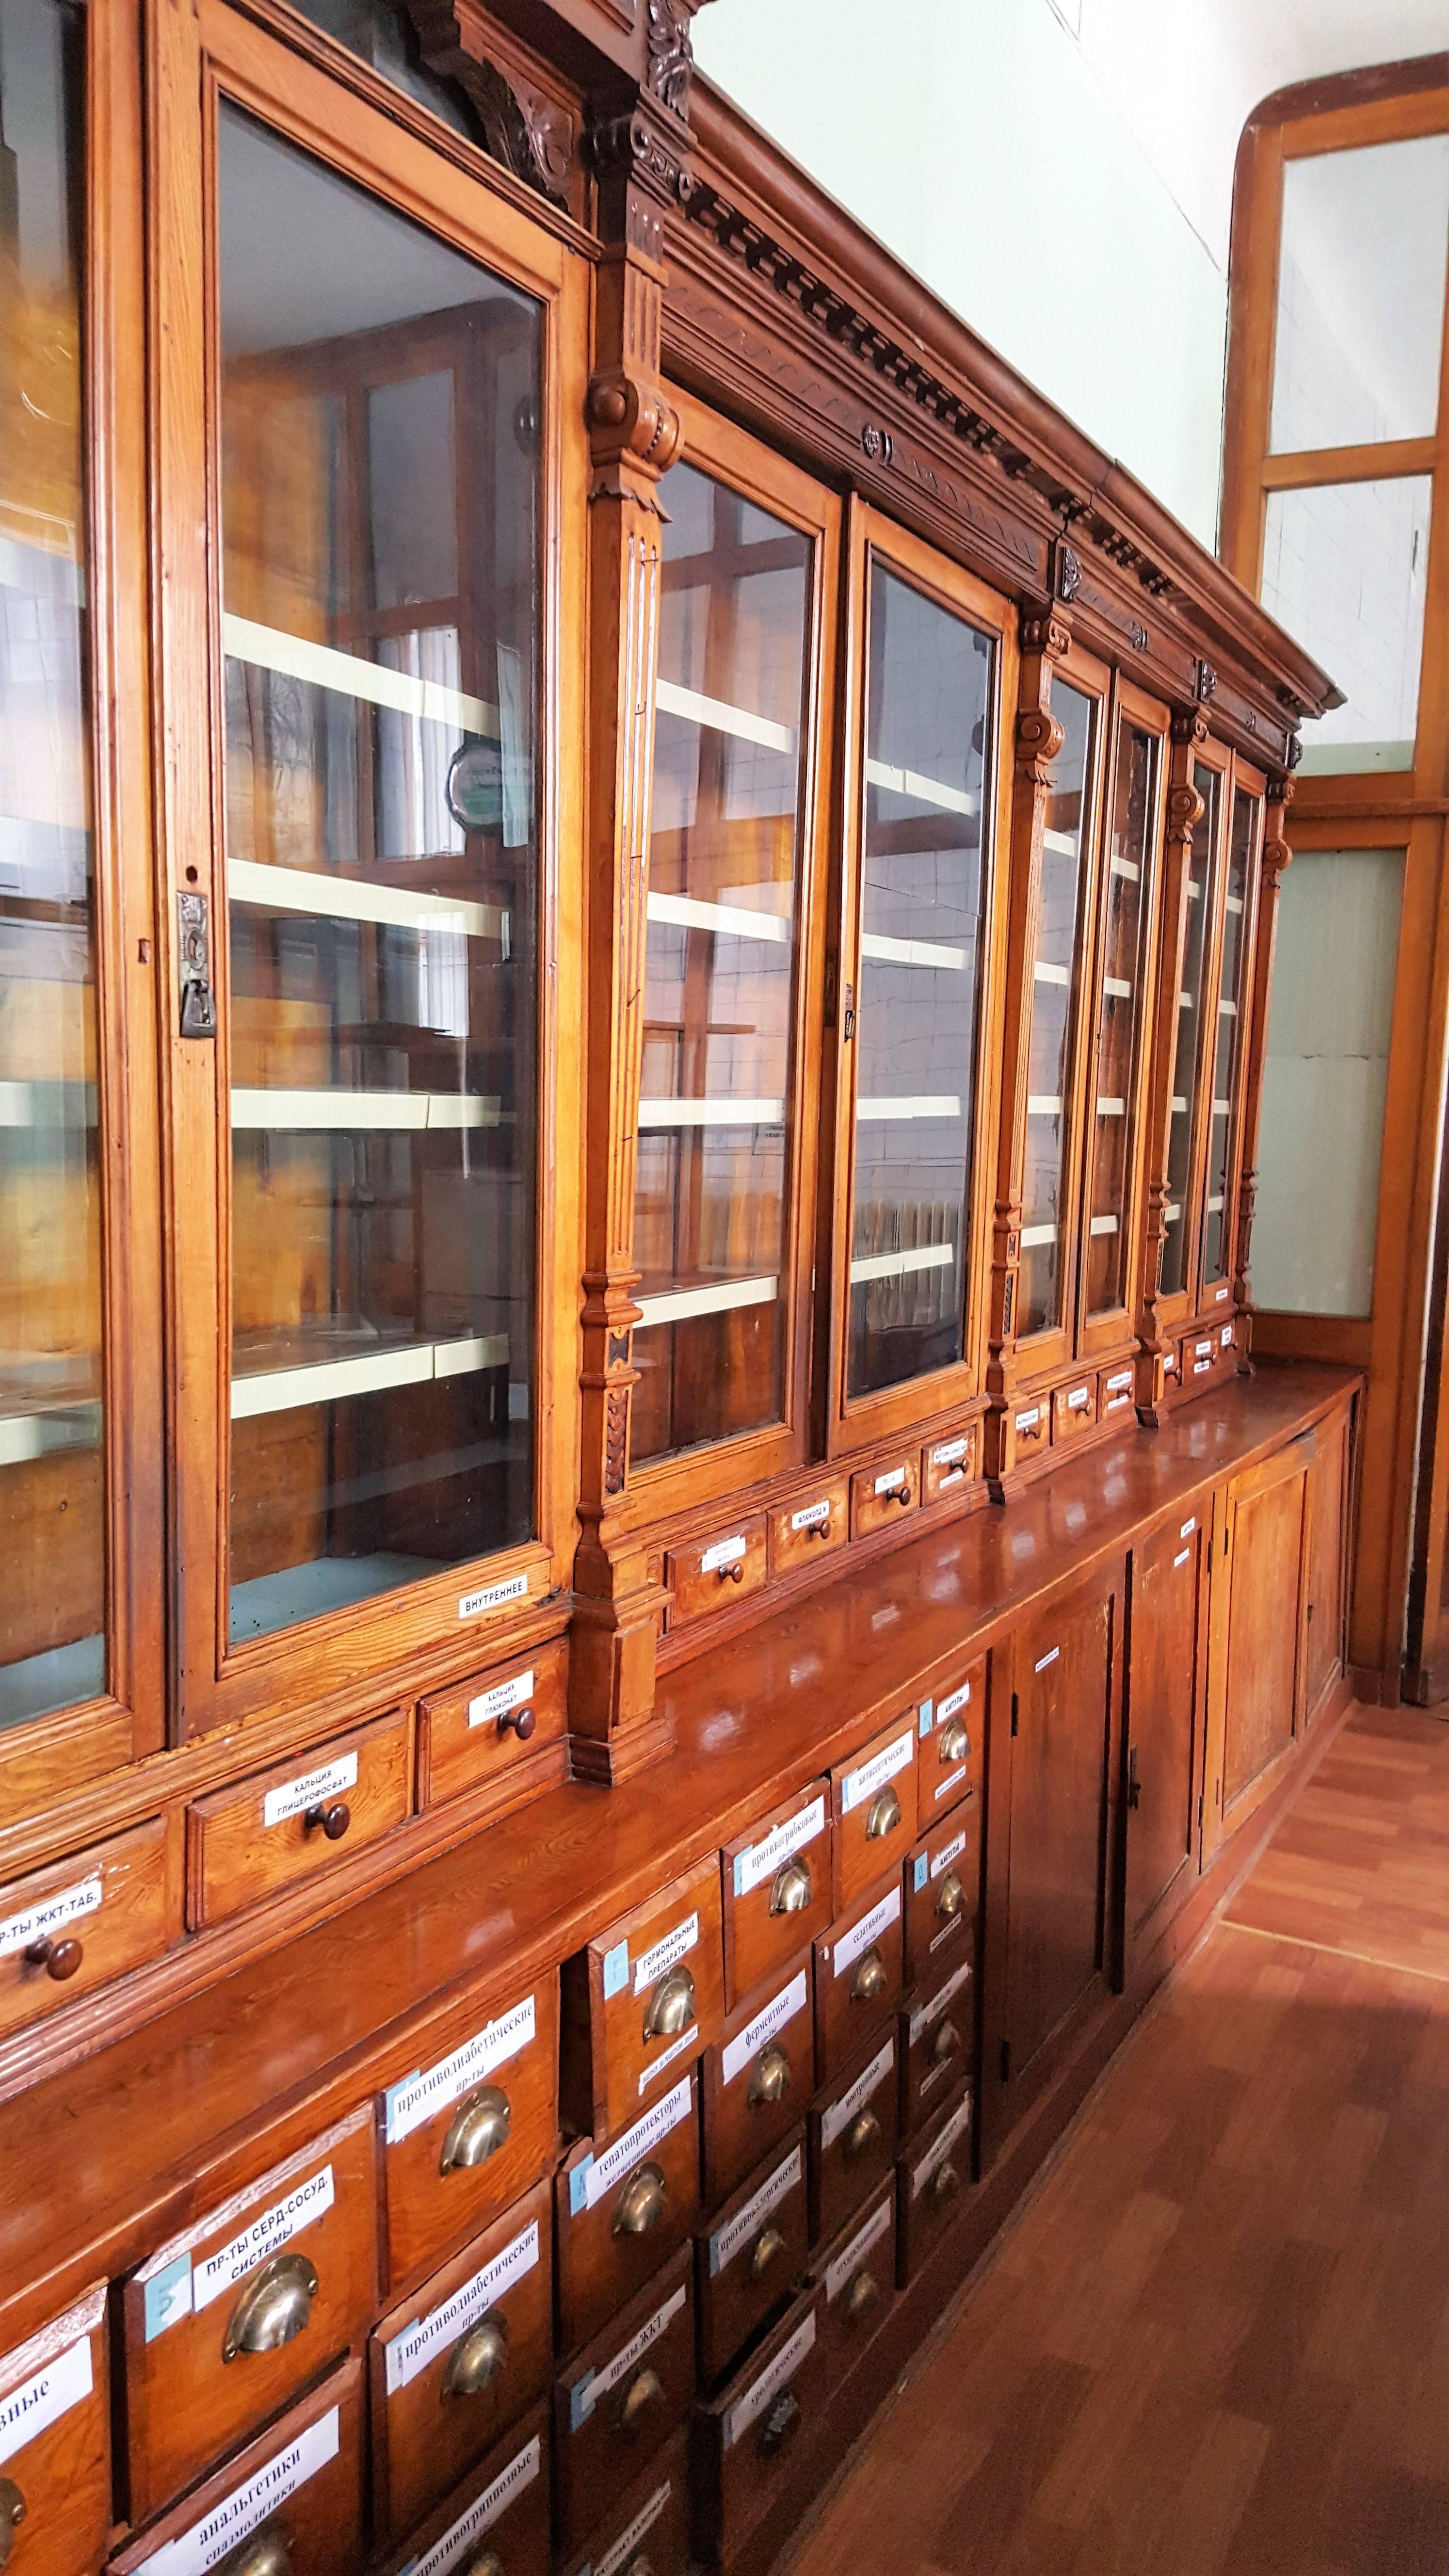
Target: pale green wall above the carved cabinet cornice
(978, 146)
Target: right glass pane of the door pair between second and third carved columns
(1123, 1011)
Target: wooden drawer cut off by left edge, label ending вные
(55, 2446)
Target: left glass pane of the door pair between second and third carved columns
(1056, 970)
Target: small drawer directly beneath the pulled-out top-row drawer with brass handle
(625, 2211)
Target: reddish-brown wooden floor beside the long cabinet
(1218, 2338)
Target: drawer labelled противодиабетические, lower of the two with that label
(460, 2361)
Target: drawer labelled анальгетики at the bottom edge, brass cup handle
(303, 2477)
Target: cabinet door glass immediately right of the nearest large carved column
(715, 1109)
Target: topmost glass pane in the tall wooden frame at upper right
(1363, 295)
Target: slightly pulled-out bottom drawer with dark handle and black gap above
(749, 2438)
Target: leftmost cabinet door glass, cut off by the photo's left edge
(53, 1480)
